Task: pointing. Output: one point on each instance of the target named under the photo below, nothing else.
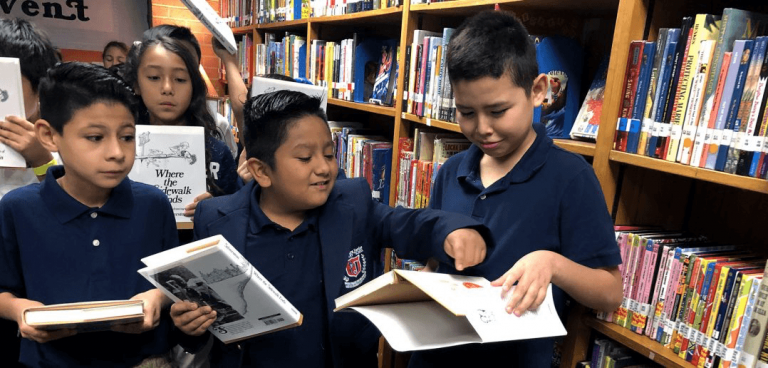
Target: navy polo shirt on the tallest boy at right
(551, 200)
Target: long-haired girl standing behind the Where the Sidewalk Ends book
(164, 71)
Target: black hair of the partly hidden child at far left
(20, 39)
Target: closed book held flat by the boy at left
(85, 317)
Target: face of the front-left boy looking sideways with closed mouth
(97, 146)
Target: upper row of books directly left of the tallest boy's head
(428, 92)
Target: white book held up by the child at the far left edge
(11, 103)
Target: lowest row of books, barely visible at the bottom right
(606, 353)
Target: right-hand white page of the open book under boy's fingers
(492, 322)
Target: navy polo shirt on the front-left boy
(54, 249)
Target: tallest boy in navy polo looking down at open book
(543, 205)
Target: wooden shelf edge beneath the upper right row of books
(718, 177)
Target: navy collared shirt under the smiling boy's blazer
(292, 262)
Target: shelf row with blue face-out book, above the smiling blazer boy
(356, 69)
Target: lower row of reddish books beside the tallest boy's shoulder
(419, 160)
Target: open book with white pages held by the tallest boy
(422, 310)
